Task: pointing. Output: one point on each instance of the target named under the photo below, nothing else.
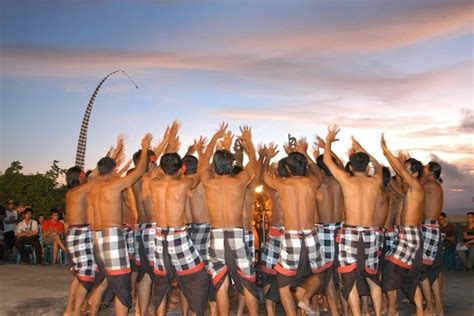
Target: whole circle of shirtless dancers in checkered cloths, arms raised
(352, 233)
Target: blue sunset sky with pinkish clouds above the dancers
(402, 68)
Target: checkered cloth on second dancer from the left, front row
(110, 247)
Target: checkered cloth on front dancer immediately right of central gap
(291, 250)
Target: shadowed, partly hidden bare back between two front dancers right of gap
(331, 206)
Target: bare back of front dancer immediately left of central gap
(225, 199)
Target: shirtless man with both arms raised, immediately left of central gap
(228, 252)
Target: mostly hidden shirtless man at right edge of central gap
(271, 253)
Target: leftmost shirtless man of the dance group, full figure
(79, 238)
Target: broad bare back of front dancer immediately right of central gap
(298, 201)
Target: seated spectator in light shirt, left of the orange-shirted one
(27, 234)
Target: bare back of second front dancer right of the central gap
(360, 199)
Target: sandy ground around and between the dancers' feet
(42, 290)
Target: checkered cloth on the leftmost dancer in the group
(81, 252)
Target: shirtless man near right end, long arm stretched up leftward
(403, 266)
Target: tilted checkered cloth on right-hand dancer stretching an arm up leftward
(405, 246)
